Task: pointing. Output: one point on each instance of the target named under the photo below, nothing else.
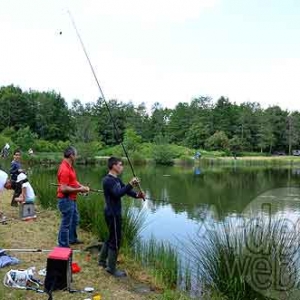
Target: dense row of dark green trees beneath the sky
(200, 124)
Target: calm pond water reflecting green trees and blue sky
(193, 196)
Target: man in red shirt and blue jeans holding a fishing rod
(67, 192)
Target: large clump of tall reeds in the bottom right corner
(226, 259)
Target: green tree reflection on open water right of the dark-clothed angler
(229, 190)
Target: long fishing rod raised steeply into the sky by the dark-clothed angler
(117, 134)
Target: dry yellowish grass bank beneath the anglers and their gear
(43, 234)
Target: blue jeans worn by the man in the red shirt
(70, 219)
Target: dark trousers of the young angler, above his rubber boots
(114, 224)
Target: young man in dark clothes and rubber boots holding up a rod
(114, 190)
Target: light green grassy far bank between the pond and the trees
(180, 156)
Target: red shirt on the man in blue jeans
(66, 175)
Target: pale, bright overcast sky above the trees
(165, 51)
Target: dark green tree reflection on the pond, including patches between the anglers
(229, 190)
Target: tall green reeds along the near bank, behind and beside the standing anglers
(160, 259)
